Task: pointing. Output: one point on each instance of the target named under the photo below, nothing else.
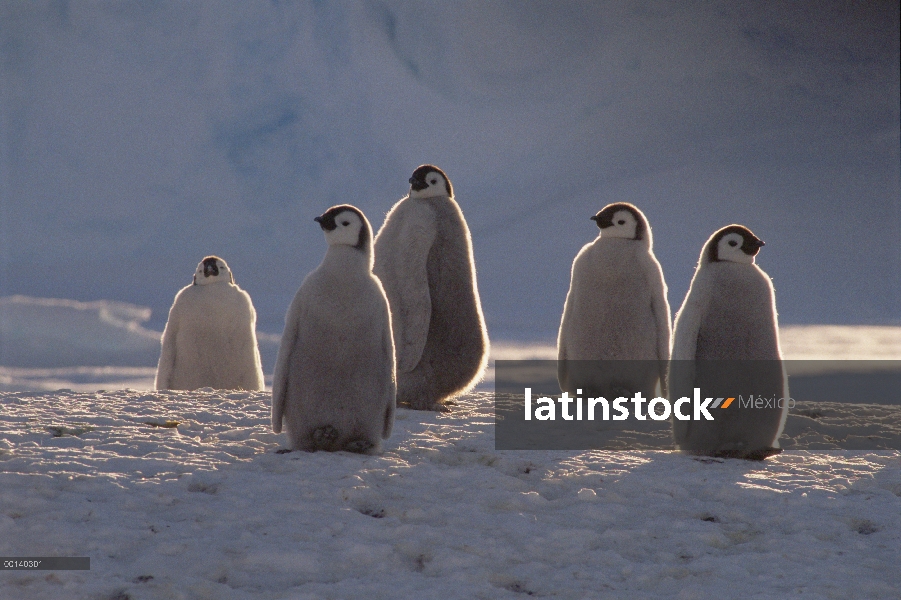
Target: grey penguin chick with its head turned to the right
(726, 344)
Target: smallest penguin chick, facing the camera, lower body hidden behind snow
(210, 338)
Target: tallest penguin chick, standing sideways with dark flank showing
(423, 256)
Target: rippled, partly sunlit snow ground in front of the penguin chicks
(208, 509)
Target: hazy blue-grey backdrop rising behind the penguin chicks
(138, 137)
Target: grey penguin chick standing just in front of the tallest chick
(334, 386)
